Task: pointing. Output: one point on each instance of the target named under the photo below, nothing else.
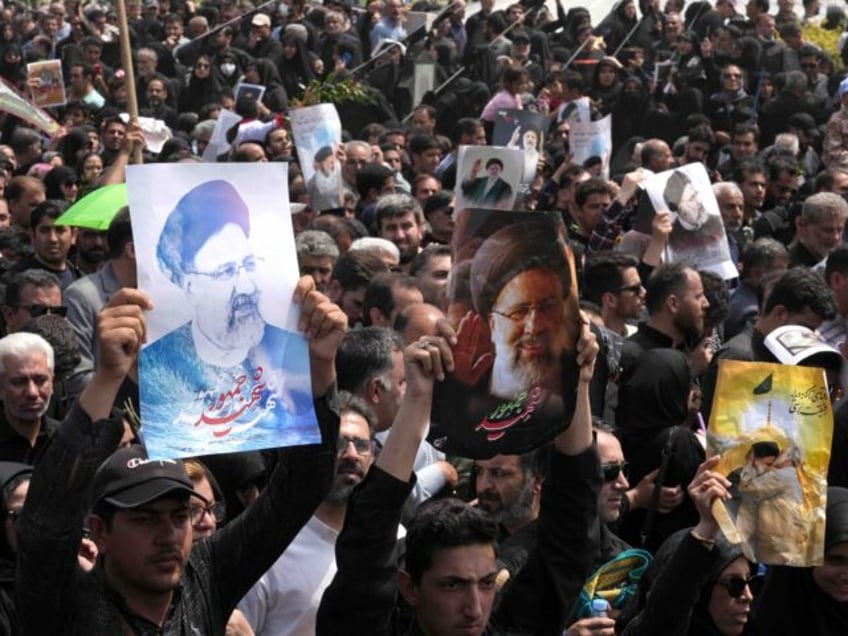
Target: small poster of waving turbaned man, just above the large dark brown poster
(488, 177)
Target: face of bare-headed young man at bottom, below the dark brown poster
(455, 595)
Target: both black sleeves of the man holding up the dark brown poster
(362, 597)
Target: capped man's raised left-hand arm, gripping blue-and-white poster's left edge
(50, 528)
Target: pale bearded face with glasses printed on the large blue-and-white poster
(223, 293)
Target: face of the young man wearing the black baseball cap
(146, 548)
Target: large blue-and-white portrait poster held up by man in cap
(224, 368)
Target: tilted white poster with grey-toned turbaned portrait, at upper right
(698, 236)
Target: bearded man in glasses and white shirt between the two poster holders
(284, 602)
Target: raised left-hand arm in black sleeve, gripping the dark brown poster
(361, 599)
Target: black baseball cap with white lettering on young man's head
(129, 478)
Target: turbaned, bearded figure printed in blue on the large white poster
(227, 365)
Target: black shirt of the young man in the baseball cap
(220, 569)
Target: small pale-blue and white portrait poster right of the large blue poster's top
(317, 132)
